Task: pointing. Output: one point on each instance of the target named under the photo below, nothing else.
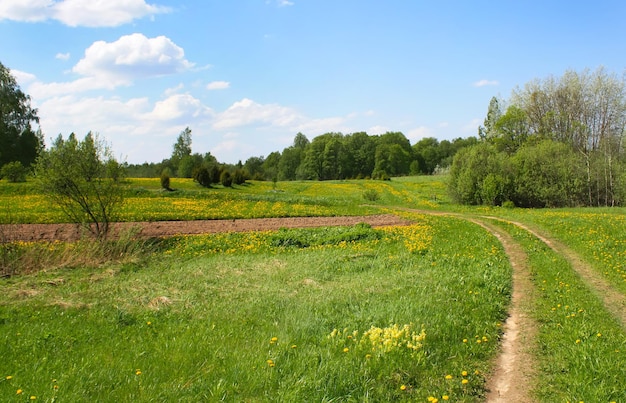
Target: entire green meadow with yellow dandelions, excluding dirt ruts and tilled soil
(410, 313)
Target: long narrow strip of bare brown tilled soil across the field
(72, 232)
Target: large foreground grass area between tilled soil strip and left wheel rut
(311, 315)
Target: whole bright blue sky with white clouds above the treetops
(247, 75)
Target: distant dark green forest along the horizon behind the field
(330, 156)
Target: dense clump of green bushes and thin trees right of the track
(557, 142)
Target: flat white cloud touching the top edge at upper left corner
(87, 13)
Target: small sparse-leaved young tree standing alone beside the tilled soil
(84, 180)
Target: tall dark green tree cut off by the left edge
(18, 140)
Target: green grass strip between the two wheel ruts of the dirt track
(581, 347)
